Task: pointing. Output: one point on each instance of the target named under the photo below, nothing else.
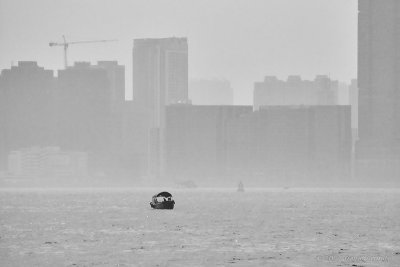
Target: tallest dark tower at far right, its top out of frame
(378, 149)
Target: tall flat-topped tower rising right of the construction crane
(160, 75)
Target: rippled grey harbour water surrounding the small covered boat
(208, 227)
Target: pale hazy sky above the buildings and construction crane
(239, 40)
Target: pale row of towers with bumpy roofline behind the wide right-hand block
(295, 91)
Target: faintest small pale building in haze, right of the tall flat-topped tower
(210, 92)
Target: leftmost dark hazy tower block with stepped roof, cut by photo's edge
(27, 111)
